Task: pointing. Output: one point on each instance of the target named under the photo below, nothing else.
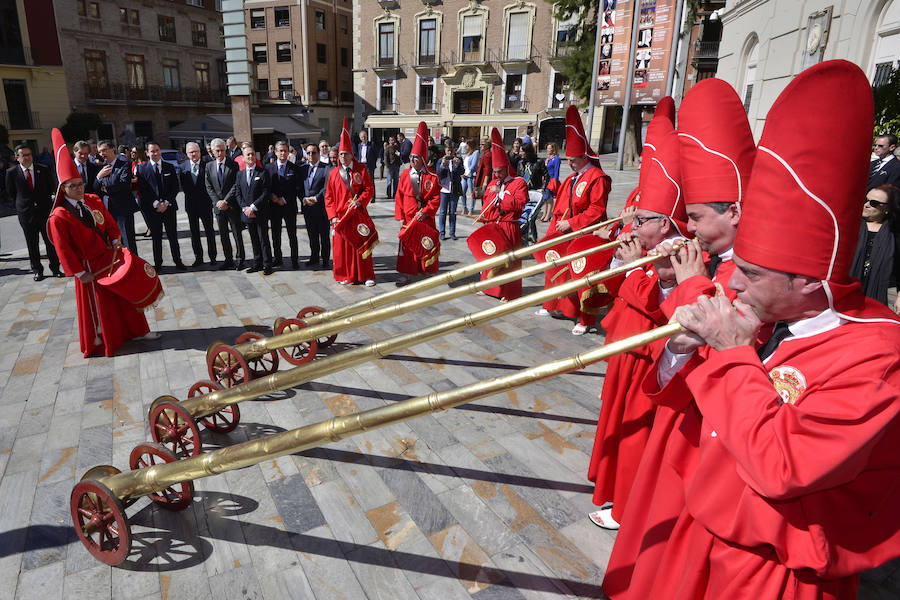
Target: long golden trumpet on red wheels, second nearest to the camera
(175, 423)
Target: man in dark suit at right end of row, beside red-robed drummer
(313, 180)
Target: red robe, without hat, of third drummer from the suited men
(506, 212)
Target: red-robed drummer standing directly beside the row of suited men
(349, 188)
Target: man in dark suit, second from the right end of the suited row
(284, 183)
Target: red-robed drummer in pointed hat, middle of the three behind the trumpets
(418, 198)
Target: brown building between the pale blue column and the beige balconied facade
(301, 55)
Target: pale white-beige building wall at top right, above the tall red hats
(765, 43)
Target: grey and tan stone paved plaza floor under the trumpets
(488, 500)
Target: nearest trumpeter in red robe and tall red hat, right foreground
(790, 477)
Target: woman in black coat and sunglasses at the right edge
(877, 260)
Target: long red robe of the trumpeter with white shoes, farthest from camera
(626, 413)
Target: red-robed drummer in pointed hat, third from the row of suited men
(504, 199)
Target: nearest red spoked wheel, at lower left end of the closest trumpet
(100, 522)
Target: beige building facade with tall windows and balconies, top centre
(462, 66)
